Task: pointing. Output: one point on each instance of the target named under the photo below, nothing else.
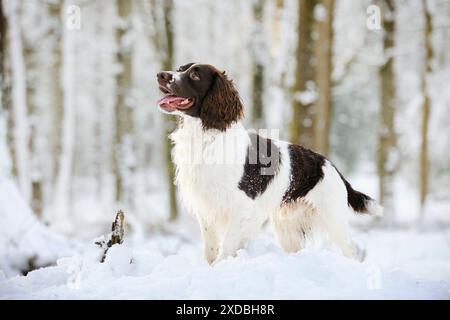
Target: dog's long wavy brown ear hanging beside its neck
(221, 105)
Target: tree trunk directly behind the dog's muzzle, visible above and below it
(163, 40)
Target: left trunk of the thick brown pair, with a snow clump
(302, 122)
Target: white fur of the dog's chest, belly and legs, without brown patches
(228, 218)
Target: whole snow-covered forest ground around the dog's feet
(400, 263)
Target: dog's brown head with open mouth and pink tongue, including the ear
(201, 91)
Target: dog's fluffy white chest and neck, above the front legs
(209, 165)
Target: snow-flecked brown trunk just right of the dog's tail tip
(387, 137)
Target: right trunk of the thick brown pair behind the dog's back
(324, 68)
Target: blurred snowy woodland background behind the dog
(364, 82)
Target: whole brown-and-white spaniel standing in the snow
(234, 180)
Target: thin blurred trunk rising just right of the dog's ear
(258, 49)
